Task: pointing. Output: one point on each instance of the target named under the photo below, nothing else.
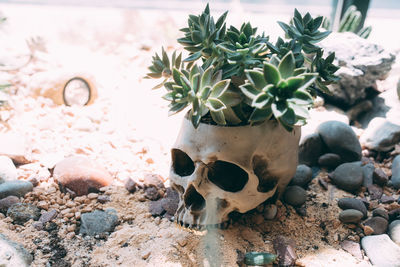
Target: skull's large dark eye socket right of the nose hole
(227, 176)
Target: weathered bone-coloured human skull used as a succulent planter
(217, 169)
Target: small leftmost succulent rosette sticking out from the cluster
(161, 67)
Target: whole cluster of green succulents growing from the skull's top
(234, 76)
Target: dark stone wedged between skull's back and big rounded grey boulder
(310, 149)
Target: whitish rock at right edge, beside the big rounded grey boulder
(380, 135)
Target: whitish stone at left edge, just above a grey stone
(15, 147)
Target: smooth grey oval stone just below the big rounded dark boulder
(348, 176)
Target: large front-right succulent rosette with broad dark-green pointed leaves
(279, 90)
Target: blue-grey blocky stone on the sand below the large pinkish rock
(98, 222)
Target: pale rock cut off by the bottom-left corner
(13, 254)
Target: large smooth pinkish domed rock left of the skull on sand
(81, 175)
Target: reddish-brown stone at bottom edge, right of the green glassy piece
(285, 249)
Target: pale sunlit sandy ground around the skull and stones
(128, 131)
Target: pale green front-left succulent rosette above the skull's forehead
(205, 92)
